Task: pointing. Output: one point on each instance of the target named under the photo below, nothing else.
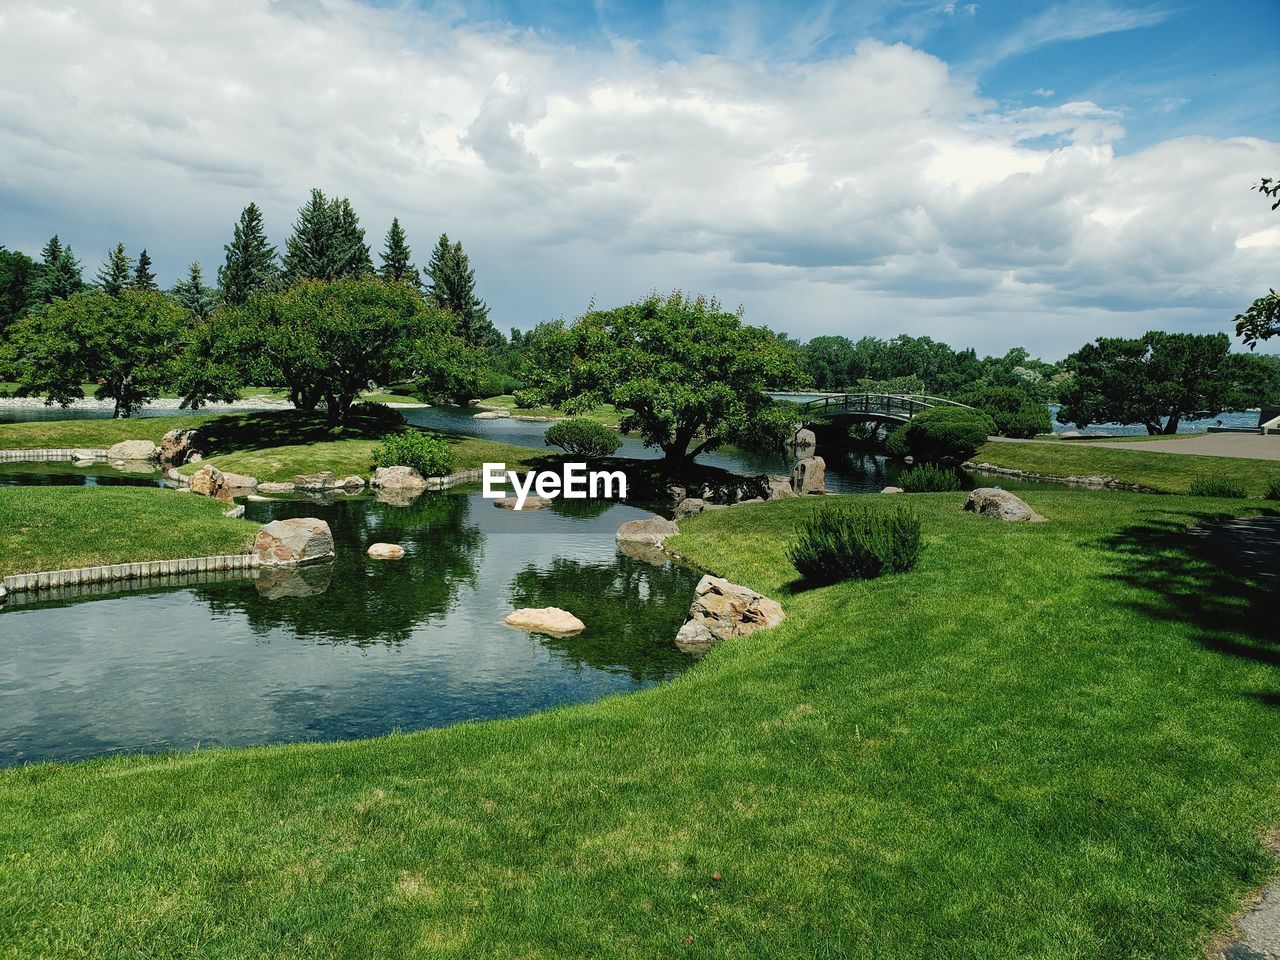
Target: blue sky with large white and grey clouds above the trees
(991, 175)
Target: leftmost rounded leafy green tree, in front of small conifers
(130, 344)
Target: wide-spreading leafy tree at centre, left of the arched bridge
(689, 376)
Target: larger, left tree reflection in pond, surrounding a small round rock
(363, 601)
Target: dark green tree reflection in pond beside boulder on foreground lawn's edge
(632, 610)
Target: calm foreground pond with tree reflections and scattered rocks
(355, 648)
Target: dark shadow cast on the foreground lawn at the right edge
(1222, 577)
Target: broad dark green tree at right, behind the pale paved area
(1154, 381)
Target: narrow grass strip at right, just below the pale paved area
(1169, 473)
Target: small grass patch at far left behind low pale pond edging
(60, 528)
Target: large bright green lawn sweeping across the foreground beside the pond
(1052, 740)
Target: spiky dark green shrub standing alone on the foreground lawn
(848, 542)
